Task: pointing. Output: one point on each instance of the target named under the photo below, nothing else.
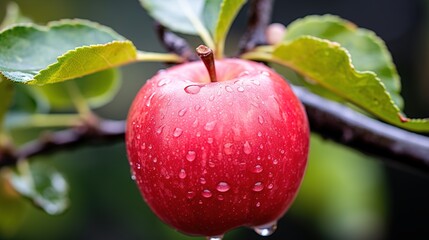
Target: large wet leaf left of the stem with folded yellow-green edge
(61, 51)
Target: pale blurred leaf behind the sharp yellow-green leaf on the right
(367, 51)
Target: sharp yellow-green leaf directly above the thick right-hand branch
(329, 65)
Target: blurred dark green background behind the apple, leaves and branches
(345, 194)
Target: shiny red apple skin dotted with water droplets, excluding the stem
(212, 156)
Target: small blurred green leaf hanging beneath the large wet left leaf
(97, 89)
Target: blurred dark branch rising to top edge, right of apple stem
(259, 19)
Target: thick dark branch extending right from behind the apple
(348, 127)
